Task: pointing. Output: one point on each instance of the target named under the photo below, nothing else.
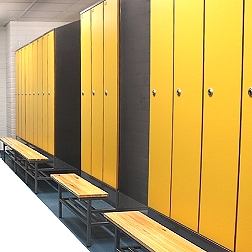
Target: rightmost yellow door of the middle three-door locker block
(111, 78)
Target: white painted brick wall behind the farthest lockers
(16, 34)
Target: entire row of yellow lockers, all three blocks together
(200, 97)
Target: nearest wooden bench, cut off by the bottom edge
(148, 233)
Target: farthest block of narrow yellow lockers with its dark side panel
(48, 87)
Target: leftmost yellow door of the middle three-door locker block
(86, 92)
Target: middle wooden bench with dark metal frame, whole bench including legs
(81, 203)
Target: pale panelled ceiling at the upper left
(42, 10)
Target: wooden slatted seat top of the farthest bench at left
(24, 150)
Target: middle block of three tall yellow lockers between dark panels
(99, 91)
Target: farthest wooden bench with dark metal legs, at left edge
(26, 158)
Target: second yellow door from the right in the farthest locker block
(44, 94)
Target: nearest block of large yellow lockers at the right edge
(199, 156)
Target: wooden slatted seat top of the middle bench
(78, 186)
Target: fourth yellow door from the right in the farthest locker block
(35, 91)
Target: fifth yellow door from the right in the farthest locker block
(29, 94)
